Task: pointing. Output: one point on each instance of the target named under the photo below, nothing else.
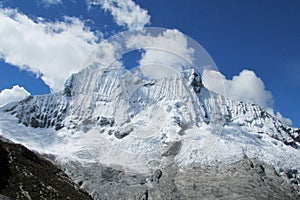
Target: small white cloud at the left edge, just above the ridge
(16, 93)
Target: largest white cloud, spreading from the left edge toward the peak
(53, 50)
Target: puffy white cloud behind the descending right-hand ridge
(246, 87)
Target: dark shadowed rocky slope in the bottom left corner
(25, 175)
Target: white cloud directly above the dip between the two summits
(163, 53)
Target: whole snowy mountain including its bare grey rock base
(116, 132)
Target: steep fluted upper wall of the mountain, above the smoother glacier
(115, 97)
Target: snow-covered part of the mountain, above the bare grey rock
(117, 118)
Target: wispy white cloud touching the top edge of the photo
(125, 13)
